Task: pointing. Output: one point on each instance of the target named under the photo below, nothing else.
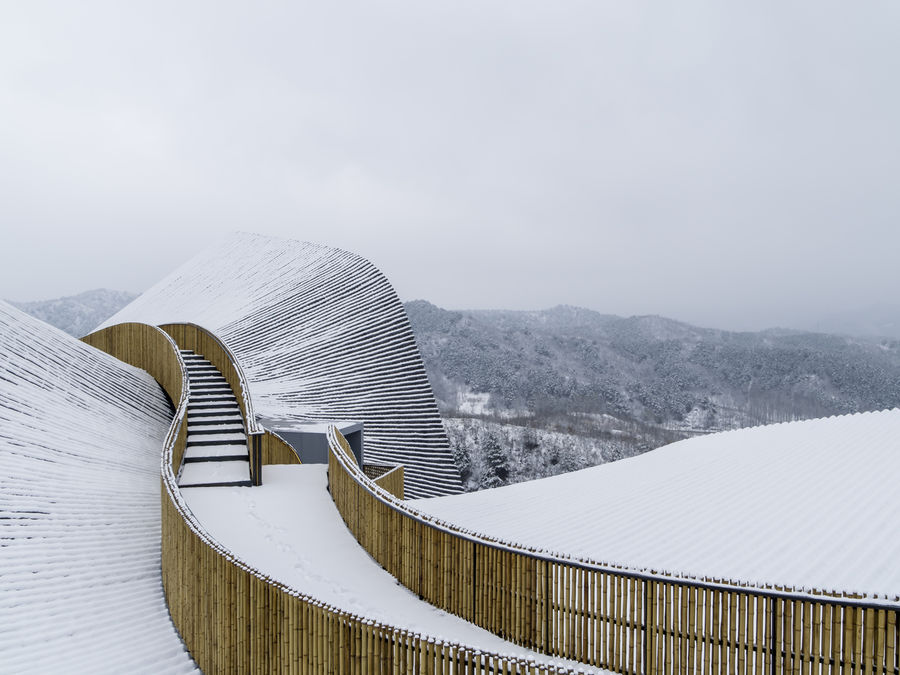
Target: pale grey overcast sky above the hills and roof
(732, 166)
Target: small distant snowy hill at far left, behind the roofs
(78, 314)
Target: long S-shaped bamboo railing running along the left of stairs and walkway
(235, 619)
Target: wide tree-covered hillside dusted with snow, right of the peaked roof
(570, 365)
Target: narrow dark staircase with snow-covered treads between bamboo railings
(216, 450)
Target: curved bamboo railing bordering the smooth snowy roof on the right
(607, 617)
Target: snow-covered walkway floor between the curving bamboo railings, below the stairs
(290, 530)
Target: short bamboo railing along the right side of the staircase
(264, 446)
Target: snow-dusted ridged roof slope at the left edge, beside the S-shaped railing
(81, 435)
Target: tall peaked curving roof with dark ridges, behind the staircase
(321, 335)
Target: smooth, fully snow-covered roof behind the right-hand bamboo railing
(812, 505)
